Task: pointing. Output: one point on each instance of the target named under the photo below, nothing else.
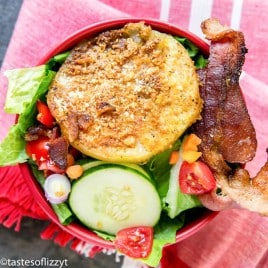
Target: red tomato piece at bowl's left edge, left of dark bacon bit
(38, 149)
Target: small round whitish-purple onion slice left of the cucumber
(57, 188)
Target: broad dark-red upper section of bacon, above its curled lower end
(226, 123)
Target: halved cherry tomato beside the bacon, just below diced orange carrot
(196, 178)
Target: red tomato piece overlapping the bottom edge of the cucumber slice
(135, 242)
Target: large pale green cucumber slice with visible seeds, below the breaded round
(111, 197)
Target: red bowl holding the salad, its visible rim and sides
(76, 229)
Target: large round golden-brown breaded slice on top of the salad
(126, 94)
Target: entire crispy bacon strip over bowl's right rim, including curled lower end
(227, 133)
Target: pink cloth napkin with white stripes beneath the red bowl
(235, 238)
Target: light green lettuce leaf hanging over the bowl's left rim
(25, 87)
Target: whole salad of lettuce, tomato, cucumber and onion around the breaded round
(167, 186)
